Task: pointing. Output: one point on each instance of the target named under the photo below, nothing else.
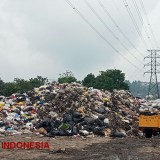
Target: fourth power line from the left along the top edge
(134, 22)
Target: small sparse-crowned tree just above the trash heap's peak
(67, 77)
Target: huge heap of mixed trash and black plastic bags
(70, 109)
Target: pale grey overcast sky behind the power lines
(47, 37)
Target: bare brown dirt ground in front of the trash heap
(78, 148)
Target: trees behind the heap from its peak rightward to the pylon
(109, 80)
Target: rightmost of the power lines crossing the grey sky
(147, 19)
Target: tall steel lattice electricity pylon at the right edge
(153, 84)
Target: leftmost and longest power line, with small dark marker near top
(94, 29)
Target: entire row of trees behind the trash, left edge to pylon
(107, 80)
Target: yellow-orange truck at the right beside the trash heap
(149, 124)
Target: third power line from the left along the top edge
(120, 30)
